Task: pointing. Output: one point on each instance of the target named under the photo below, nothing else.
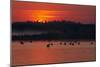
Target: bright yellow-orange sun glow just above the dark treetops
(42, 15)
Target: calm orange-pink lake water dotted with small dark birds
(37, 52)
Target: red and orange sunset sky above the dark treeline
(32, 11)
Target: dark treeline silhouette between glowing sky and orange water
(55, 30)
